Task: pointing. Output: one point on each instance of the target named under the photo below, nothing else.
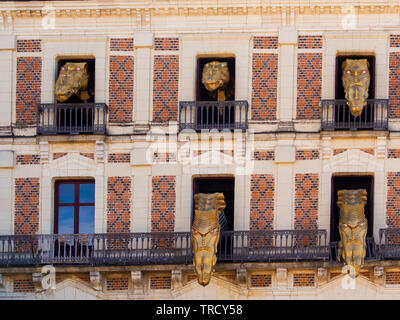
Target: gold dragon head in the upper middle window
(215, 78)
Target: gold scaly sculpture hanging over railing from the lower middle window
(205, 233)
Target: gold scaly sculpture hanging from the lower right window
(352, 228)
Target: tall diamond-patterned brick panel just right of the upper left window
(121, 89)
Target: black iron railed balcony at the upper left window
(71, 118)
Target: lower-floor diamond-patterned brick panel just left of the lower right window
(306, 201)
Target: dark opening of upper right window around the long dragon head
(342, 114)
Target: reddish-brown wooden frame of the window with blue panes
(76, 204)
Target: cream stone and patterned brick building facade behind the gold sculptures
(99, 190)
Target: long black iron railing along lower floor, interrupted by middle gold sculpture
(160, 248)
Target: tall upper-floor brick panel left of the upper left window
(28, 89)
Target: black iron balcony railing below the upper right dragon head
(335, 115)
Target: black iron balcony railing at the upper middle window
(198, 115)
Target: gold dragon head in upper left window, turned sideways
(73, 79)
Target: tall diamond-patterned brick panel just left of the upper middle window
(165, 88)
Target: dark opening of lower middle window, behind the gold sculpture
(227, 187)
